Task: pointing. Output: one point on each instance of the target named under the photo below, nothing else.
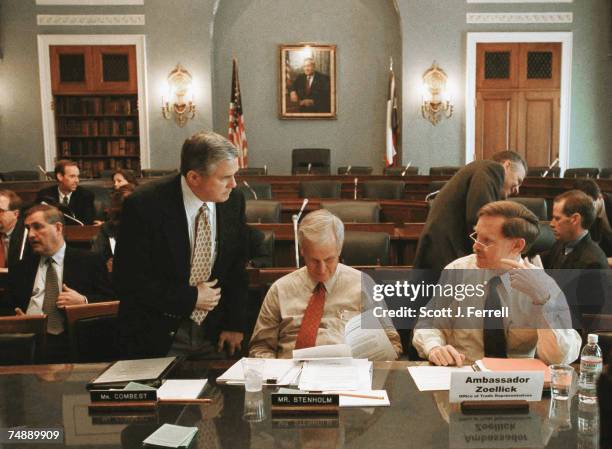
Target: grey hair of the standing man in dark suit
(204, 150)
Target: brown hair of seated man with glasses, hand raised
(520, 222)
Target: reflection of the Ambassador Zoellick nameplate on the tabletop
(494, 431)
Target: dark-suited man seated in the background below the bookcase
(72, 199)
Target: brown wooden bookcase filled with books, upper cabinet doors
(96, 107)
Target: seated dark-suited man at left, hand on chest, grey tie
(53, 276)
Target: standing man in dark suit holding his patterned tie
(179, 265)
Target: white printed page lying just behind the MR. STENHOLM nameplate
(336, 375)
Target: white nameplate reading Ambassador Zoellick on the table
(498, 386)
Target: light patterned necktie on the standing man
(201, 260)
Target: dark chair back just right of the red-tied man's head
(366, 248)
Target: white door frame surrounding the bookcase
(44, 64)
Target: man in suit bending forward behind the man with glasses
(453, 213)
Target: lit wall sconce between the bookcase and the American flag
(180, 96)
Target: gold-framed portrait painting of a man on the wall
(307, 81)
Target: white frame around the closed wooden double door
(566, 40)
